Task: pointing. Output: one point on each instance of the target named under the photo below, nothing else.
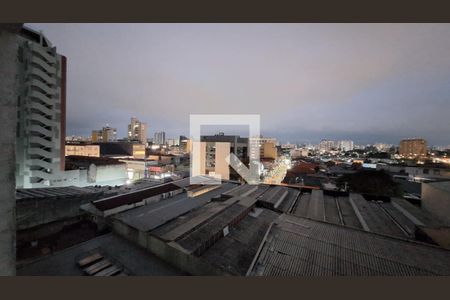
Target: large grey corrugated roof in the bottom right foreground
(296, 246)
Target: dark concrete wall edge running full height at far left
(8, 115)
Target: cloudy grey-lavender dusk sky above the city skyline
(365, 82)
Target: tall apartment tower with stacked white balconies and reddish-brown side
(41, 111)
